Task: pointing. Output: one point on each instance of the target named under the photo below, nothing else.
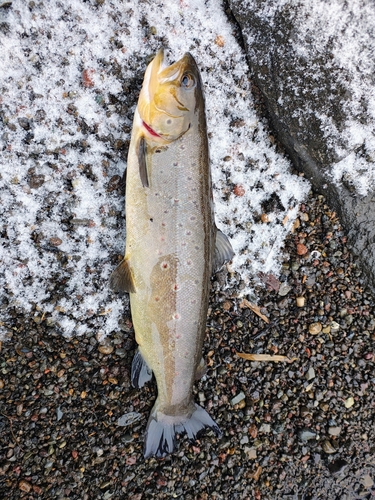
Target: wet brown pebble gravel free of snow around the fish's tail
(303, 430)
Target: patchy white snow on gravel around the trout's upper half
(70, 74)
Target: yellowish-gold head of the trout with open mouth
(169, 96)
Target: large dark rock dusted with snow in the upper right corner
(317, 94)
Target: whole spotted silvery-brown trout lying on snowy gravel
(172, 247)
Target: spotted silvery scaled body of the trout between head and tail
(174, 260)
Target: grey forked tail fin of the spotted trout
(161, 430)
